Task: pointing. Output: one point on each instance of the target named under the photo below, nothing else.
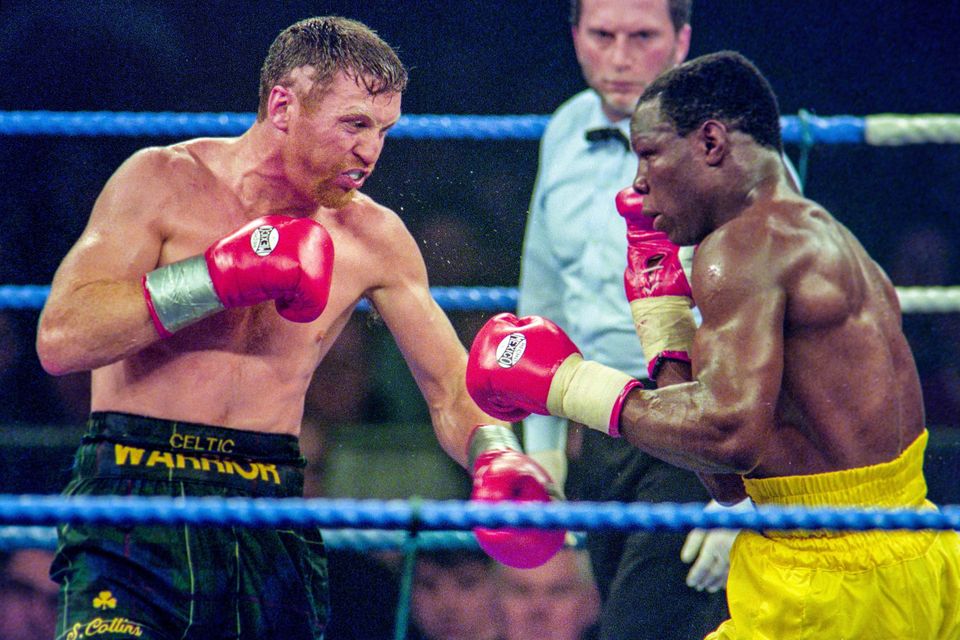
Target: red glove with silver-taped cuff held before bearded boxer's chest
(288, 260)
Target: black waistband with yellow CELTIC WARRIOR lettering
(123, 445)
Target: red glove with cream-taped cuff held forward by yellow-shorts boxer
(519, 366)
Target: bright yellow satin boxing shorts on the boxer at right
(845, 585)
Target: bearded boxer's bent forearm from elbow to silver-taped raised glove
(92, 325)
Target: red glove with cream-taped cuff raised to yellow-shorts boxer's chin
(656, 287)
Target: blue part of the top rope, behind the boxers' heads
(831, 130)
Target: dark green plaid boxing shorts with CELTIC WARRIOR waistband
(188, 581)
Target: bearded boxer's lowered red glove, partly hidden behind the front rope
(501, 471)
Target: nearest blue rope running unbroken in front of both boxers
(457, 515)
